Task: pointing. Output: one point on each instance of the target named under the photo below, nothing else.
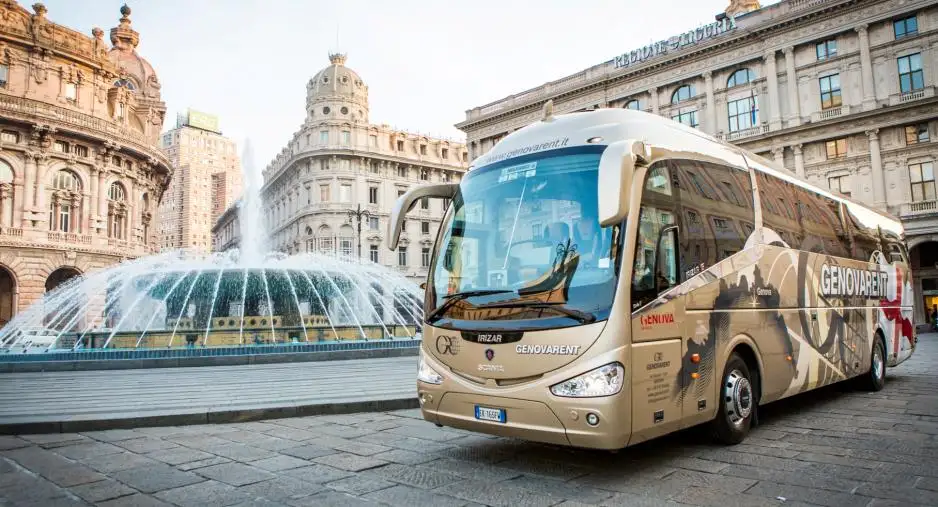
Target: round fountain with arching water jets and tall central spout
(244, 297)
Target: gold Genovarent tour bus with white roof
(606, 277)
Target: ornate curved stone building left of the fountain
(81, 171)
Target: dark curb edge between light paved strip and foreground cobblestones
(209, 417)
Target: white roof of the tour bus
(613, 124)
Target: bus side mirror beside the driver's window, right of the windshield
(616, 168)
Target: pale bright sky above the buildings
(425, 62)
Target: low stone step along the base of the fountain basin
(131, 364)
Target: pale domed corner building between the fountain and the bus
(338, 162)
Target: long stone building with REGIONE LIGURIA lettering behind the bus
(839, 92)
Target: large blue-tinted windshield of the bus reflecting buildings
(521, 246)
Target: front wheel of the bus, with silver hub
(737, 403)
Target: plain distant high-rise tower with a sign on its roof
(207, 180)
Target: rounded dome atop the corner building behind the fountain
(337, 92)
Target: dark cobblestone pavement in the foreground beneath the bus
(834, 447)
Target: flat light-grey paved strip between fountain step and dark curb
(73, 401)
